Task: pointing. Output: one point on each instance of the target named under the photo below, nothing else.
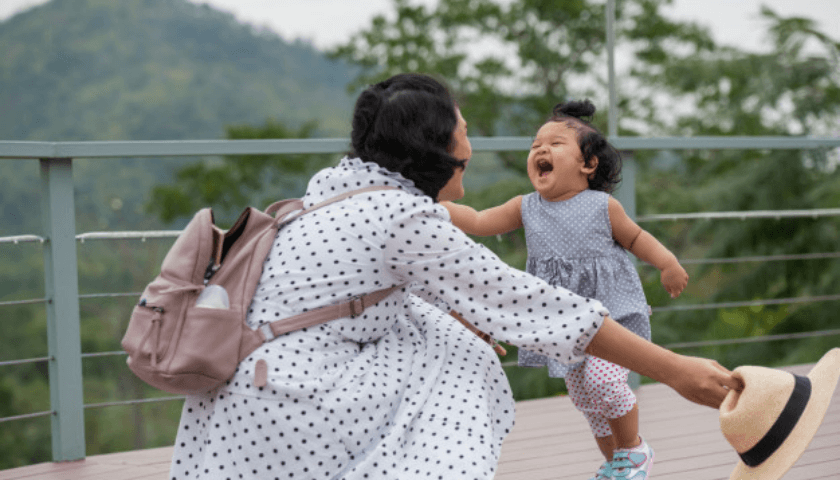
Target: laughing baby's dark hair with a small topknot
(593, 144)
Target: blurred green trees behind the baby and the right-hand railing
(543, 52)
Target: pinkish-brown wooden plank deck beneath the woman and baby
(550, 441)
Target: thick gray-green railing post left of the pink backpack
(61, 285)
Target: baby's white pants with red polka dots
(600, 391)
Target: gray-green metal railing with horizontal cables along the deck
(61, 297)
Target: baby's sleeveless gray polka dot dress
(570, 244)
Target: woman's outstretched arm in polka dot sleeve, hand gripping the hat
(512, 306)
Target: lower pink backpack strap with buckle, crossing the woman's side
(352, 308)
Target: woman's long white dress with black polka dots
(401, 391)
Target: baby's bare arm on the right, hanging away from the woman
(647, 248)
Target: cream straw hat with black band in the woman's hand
(773, 419)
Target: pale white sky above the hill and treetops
(328, 22)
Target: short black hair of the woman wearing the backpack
(405, 125)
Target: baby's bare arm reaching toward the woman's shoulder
(492, 221)
